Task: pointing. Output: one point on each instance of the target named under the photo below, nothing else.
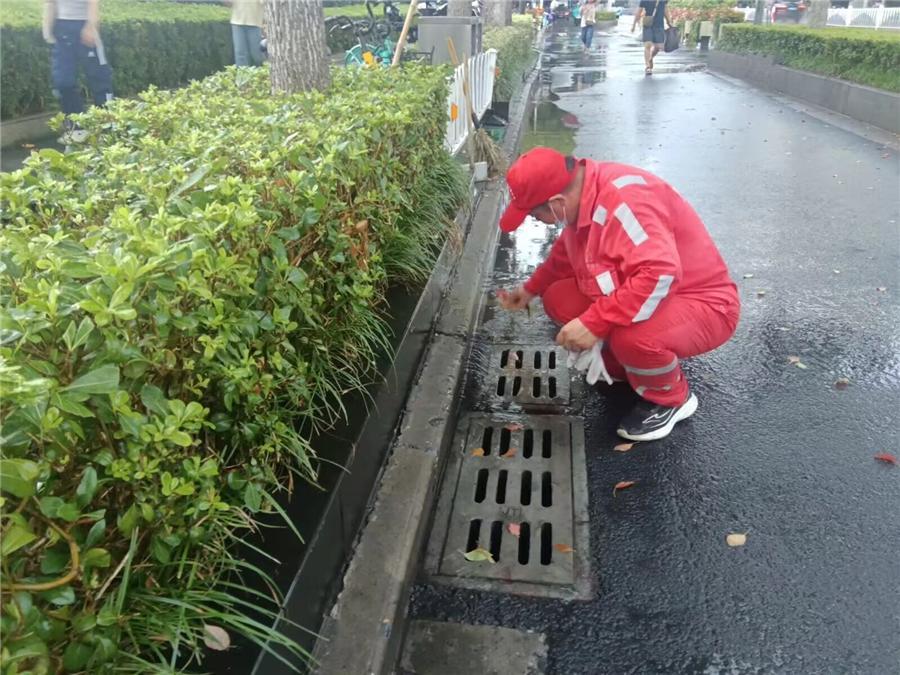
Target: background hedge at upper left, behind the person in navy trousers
(147, 43)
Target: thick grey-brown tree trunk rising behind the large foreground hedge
(296, 41)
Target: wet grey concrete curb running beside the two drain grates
(364, 631)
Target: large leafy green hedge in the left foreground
(182, 304)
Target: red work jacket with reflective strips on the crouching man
(637, 242)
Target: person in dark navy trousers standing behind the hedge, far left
(73, 28)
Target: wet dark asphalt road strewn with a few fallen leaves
(810, 210)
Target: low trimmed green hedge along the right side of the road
(859, 55)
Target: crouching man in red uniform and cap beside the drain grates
(634, 267)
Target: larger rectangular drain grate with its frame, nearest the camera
(532, 475)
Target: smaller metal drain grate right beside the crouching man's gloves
(530, 375)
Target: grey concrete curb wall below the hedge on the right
(866, 104)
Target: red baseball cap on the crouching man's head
(536, 176)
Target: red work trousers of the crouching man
(647, 353)
